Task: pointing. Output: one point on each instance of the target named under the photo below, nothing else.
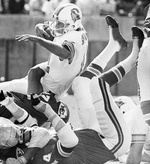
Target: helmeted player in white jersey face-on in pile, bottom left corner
(14, 140)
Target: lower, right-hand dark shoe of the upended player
(138, 33)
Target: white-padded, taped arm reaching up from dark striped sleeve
(67, 138)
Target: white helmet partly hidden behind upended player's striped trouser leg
(125, 103)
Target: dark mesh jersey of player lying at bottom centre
(90, 150)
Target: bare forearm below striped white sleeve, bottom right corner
(135, 153)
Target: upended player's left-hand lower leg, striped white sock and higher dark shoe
(115, 44)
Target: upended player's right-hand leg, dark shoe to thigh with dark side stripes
(110, 118)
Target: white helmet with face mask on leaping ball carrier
(67, 17)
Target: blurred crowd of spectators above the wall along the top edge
(89, 7)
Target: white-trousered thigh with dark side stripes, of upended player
(110, 119)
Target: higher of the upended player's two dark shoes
(115, 32)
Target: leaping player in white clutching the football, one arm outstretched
(67, 44)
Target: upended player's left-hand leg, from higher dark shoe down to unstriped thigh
(81, 85)
